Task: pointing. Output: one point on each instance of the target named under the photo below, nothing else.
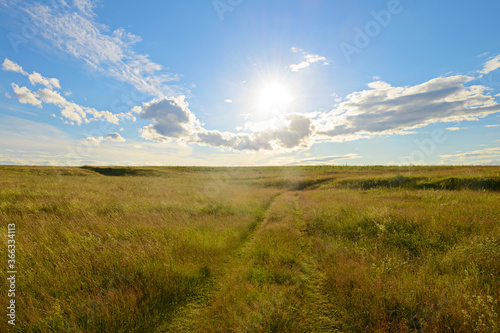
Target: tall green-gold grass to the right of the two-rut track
(400, 260)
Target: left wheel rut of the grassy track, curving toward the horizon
(186, 314)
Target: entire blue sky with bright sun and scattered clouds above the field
(249, 82)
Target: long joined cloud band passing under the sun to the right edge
(380, 110)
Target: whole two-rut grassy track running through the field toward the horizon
(271, 284)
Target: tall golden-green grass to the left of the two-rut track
(100, 254)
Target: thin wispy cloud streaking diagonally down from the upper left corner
(73, 29)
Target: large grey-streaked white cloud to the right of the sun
(384, 109)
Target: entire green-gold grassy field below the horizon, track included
(278, 249)
